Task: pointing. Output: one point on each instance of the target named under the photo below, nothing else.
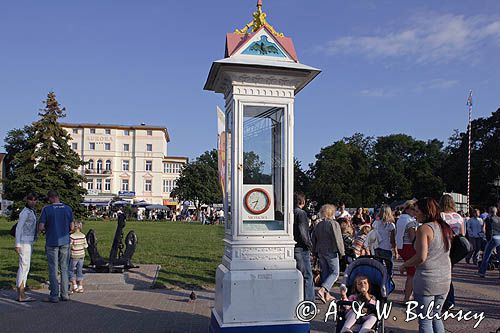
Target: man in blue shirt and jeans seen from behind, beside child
(57, 222)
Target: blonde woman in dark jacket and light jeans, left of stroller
(328, 247)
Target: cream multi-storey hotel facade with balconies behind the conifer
(130, 162)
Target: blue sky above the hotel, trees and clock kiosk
(388, 66)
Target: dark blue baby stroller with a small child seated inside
(381, 286)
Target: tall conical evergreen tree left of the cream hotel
(41, 160)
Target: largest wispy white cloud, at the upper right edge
(424, 39)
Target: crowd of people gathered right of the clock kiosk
(419, 232)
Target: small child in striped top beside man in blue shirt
(78, 244)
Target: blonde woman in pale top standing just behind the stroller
(386, 234)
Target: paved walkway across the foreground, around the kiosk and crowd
(157, 310)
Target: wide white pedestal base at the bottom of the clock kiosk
(257, 298)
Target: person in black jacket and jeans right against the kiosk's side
(303, 245)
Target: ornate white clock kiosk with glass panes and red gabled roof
(257, 285)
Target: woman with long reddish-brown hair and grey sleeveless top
(433, 266)
